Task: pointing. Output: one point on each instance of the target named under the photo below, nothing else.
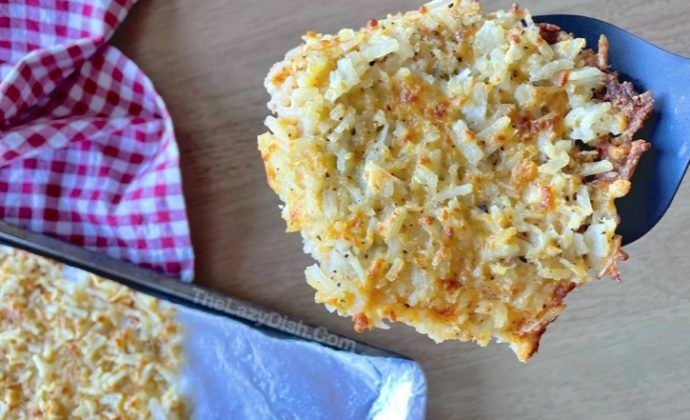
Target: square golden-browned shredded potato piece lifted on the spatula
(446, 168)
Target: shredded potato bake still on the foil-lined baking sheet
(88, 348)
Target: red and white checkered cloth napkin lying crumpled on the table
(87, 149)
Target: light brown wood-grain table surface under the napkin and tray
(619, 351)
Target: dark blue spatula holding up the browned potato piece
(667, 75)
